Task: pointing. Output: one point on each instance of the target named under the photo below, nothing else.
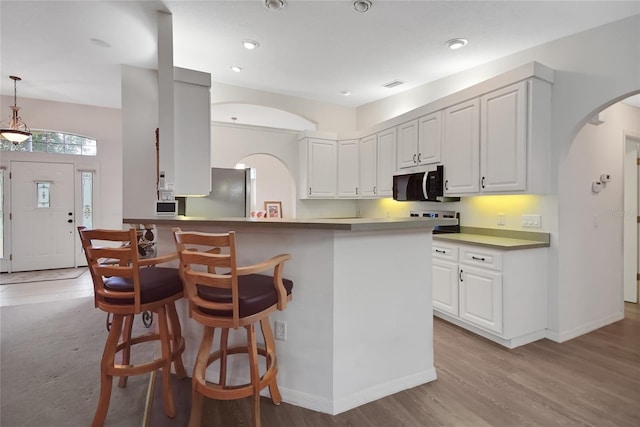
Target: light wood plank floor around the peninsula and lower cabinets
(593, 380)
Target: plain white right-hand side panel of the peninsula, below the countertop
(383, 322)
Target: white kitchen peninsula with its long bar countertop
(360, 324)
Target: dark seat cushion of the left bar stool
(156, 283)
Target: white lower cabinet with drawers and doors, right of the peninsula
(498, 294)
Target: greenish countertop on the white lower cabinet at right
(497, 239)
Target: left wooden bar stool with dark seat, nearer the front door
(123, 288)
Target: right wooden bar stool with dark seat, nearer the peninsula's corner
(223, 295)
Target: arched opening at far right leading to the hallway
(595, 219)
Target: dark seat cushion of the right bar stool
(255, 294)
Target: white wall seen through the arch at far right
(591, 225)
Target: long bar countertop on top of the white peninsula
(345, 224)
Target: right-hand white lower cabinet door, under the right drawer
(480, 297)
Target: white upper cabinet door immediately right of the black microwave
(461, 146)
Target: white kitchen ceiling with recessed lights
(310, 49)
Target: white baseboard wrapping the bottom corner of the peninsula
(320, 404)
